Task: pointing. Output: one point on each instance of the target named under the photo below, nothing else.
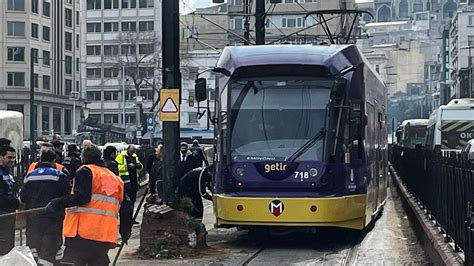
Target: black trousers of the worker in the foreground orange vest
(93, 256)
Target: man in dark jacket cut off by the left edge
(8, 199)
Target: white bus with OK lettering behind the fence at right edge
(451, 126)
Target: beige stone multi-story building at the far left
(48, 31)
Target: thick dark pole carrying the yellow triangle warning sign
(171, 79)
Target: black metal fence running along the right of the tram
(445, 186)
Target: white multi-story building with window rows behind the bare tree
(121, 47)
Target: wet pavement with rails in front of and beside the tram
(389, 241)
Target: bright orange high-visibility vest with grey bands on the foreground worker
(98, 219)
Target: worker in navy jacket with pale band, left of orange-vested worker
(44, 234)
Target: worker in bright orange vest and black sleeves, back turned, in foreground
(93, 210)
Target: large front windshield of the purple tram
(271, 118)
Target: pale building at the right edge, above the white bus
(461, 44)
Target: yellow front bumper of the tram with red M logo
(346, 211)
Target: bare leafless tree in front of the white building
(139, 57)
